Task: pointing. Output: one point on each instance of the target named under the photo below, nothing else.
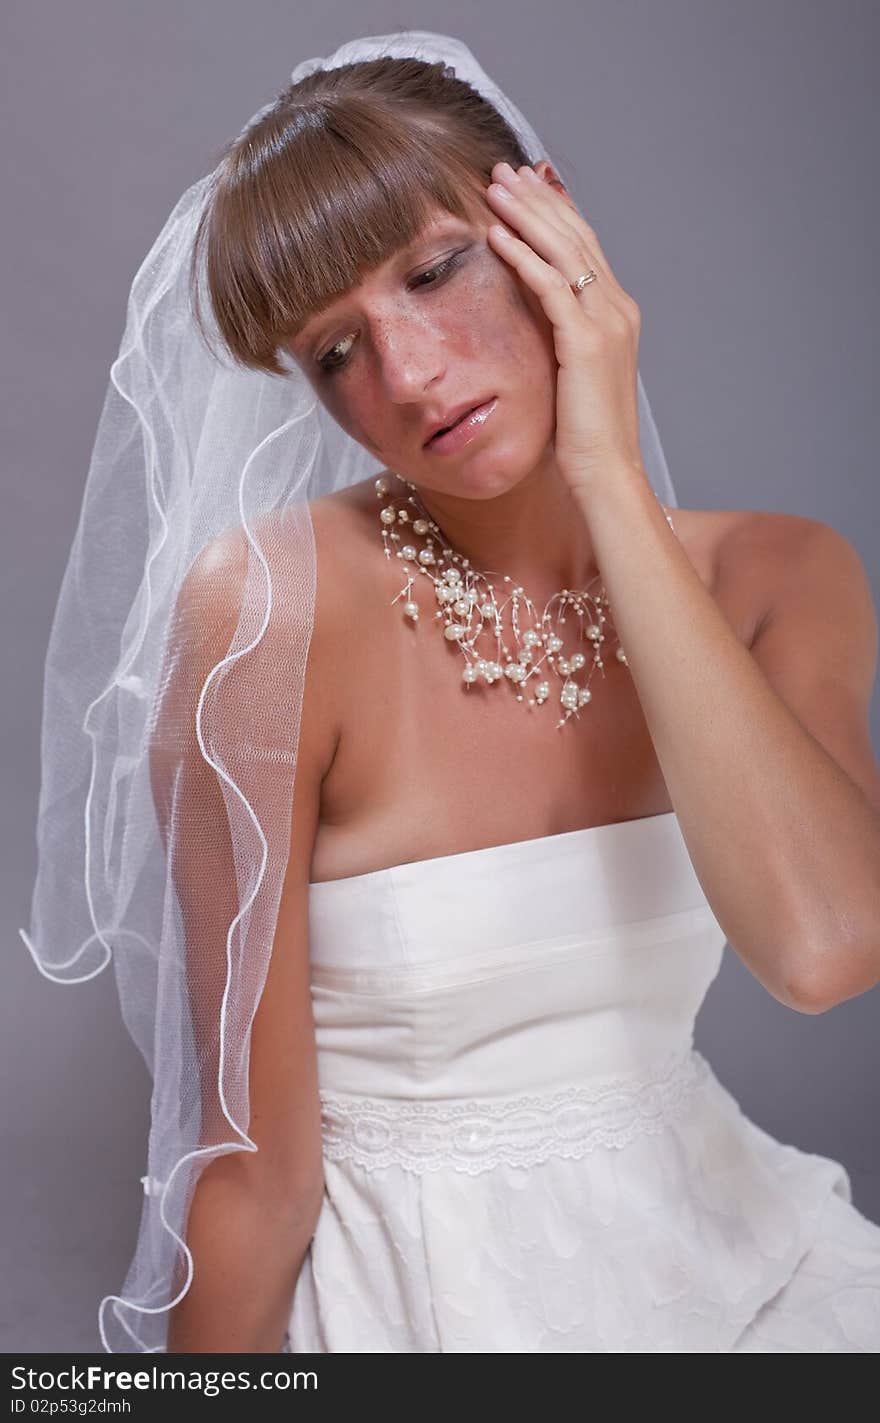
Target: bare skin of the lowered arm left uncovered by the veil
(254, 1215)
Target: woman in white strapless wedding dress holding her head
(473, 1118)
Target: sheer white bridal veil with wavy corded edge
(167, 758)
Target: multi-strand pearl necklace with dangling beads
(469, 607)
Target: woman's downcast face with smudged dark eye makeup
(439, 328)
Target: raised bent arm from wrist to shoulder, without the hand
(765, 752)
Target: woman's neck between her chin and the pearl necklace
(535, 533)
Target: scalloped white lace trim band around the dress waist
(476, 1136)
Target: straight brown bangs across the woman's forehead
(314, 204)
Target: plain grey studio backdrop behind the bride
(726, 152)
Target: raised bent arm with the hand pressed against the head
(771, 772)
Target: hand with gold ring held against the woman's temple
(596, 331)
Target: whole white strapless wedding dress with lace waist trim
(523, 1149)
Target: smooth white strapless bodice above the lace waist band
(519, 968)
